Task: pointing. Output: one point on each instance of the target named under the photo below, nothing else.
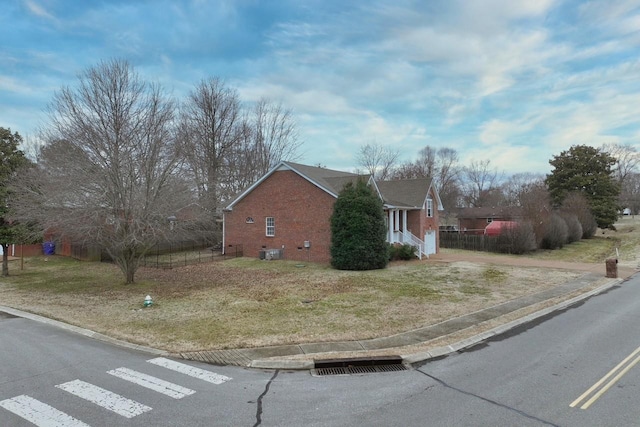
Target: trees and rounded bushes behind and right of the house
(586, 189)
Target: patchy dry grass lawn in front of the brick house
(246, 302)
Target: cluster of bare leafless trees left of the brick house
(124, 165)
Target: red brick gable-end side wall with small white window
(301, 212)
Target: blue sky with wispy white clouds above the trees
(514, 82)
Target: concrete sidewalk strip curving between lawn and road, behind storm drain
(413, 346)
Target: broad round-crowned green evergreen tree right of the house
(588, 171)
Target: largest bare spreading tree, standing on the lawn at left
(105, 176)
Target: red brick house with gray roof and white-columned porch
(288, 211)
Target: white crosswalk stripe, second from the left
(114, 402)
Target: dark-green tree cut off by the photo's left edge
(11, 159)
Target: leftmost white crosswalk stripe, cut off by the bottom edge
(40, 414)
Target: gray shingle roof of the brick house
(408, 193)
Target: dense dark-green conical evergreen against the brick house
(358, 229)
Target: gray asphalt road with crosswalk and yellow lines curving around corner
(537, 375)
